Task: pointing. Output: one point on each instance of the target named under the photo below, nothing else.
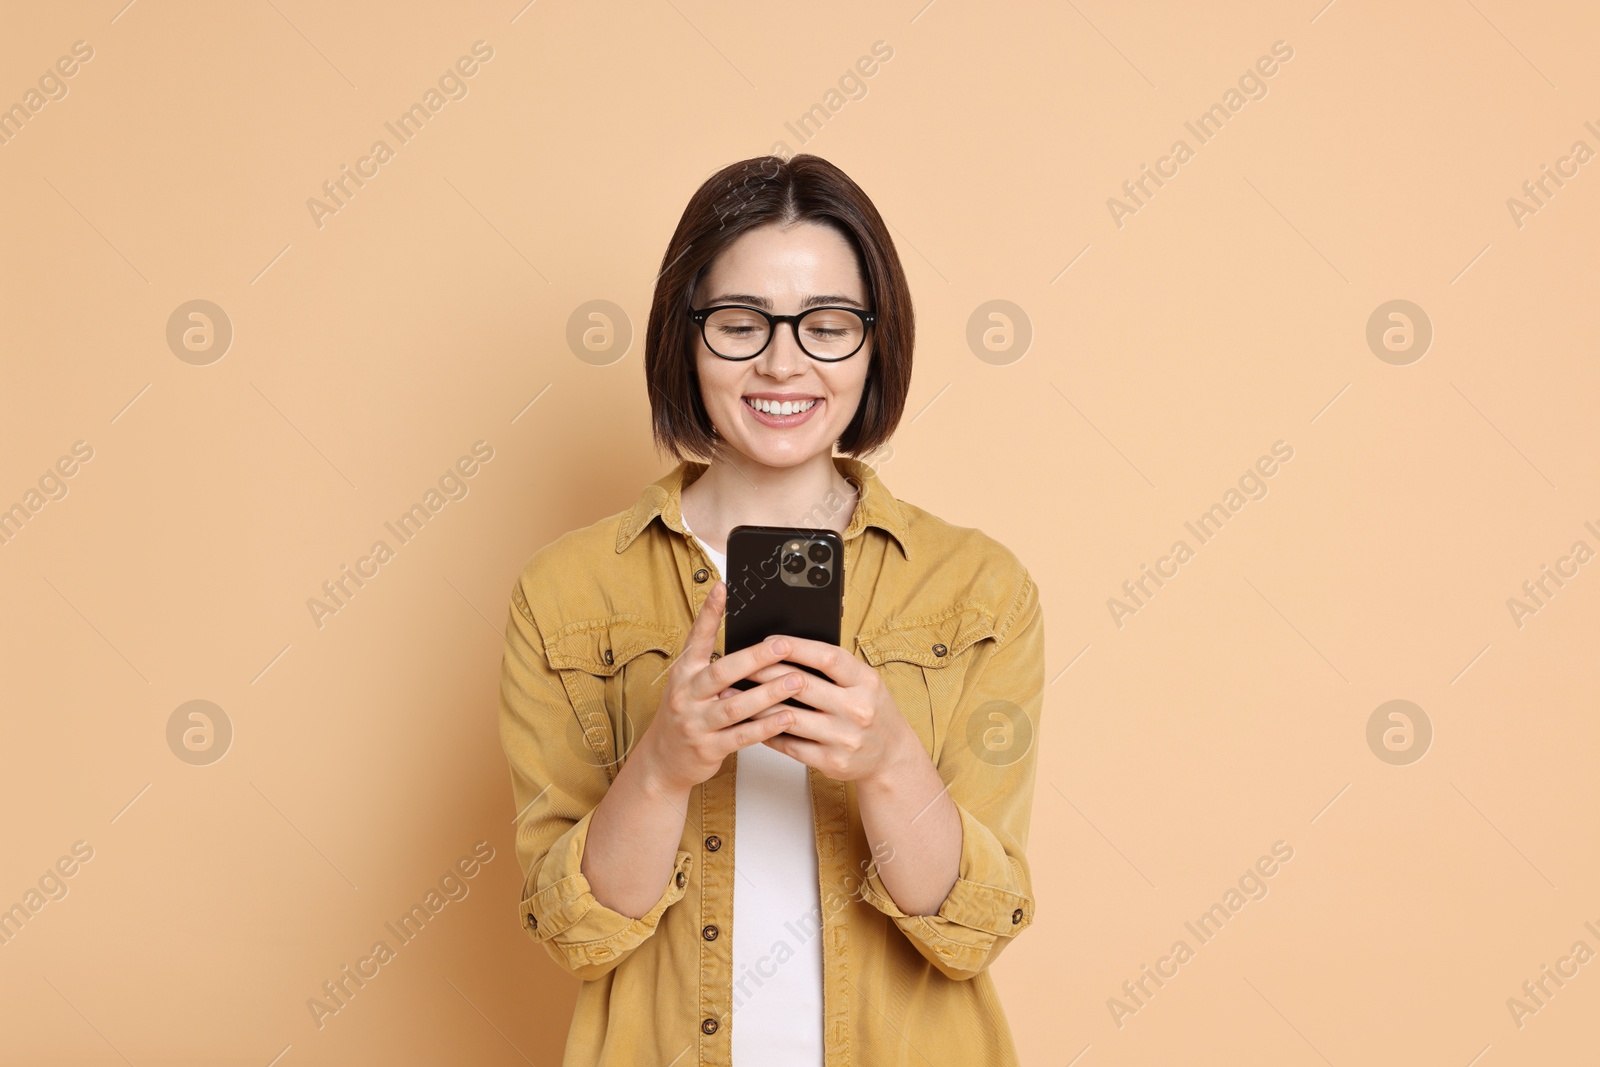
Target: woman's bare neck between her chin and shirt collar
(737, 492)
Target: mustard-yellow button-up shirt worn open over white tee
(953, 623)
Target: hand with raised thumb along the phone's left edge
(702, 719)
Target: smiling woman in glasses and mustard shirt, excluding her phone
(836, 892)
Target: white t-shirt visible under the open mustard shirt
(777, 898)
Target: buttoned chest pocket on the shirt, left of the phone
(615, 671)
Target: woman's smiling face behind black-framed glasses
(783, 270)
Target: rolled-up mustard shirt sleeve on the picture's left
(556, 793)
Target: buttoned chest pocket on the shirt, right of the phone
(926, 661)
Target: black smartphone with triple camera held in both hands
(783, 580)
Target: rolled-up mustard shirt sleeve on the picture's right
(993, 898)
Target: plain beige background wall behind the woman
(1167, 356)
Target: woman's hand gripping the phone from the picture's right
(857, 732)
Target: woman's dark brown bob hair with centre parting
(737, 199)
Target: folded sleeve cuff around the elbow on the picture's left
(562, 913)
